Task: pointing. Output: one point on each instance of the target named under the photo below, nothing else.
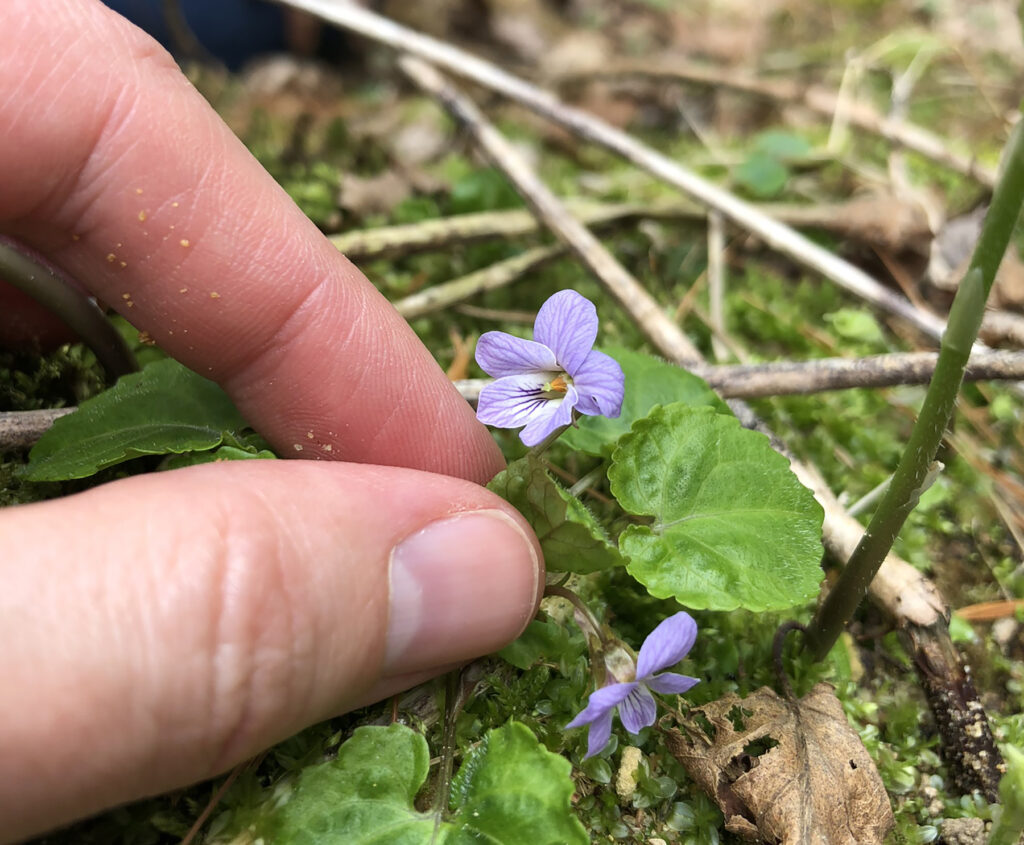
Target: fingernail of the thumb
(462, 587)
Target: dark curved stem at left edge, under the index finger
(22, 269)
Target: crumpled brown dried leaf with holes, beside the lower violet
(787, 772)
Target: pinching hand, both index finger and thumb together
(160, 629)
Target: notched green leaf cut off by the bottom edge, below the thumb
(509, 791)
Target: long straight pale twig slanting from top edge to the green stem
(776, 235)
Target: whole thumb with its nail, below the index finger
(176, 624)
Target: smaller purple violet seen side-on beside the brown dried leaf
(665, 647)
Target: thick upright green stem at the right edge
(910, 478)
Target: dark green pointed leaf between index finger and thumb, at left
(166, 409)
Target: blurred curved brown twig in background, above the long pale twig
(817, 99)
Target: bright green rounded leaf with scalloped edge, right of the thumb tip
(733, 527)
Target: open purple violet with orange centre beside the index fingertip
(540, 383)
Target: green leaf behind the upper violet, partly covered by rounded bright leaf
(650, 382)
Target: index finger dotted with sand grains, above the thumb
(116, 168)
